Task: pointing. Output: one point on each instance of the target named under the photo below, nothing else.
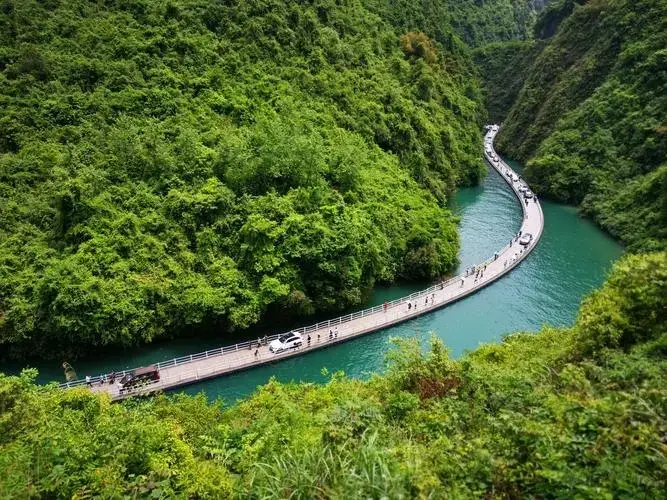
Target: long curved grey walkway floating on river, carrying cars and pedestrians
(190, 369)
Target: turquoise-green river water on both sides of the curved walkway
(572, 258)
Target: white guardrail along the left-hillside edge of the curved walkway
(323, 324)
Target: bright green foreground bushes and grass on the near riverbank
(566, 413)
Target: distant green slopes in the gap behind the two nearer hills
(499, 31)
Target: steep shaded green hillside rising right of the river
(590, 117)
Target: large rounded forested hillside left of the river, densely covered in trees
(194, 164)
